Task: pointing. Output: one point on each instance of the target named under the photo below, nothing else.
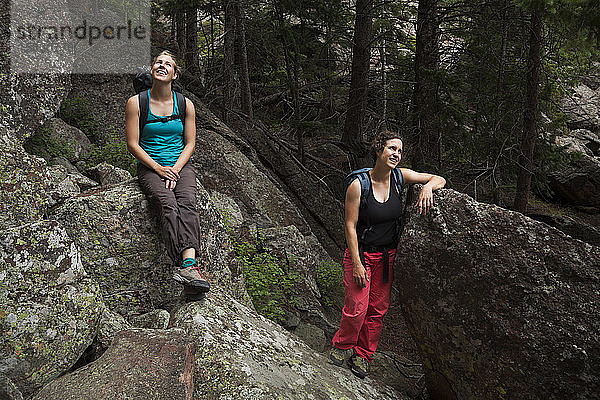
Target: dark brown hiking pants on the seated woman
(178, 216)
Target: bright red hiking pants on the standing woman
(362, 315)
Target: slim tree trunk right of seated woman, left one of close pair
(228, 59)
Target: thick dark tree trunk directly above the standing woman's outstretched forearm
(427, 141)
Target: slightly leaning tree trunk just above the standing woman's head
(359, 80)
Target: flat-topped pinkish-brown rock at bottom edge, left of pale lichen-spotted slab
(139, 365)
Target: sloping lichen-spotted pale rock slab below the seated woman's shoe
(242, 355)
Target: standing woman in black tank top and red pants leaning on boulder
(371, 236)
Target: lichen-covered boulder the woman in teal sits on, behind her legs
(118, 234)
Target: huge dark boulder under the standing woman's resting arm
(501, 306)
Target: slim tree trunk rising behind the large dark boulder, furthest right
(530, 113)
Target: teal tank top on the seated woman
(163, 141)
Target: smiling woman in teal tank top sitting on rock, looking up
(166, 175)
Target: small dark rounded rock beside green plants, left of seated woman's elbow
(58, 139)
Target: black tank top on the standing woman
(377, 222)
